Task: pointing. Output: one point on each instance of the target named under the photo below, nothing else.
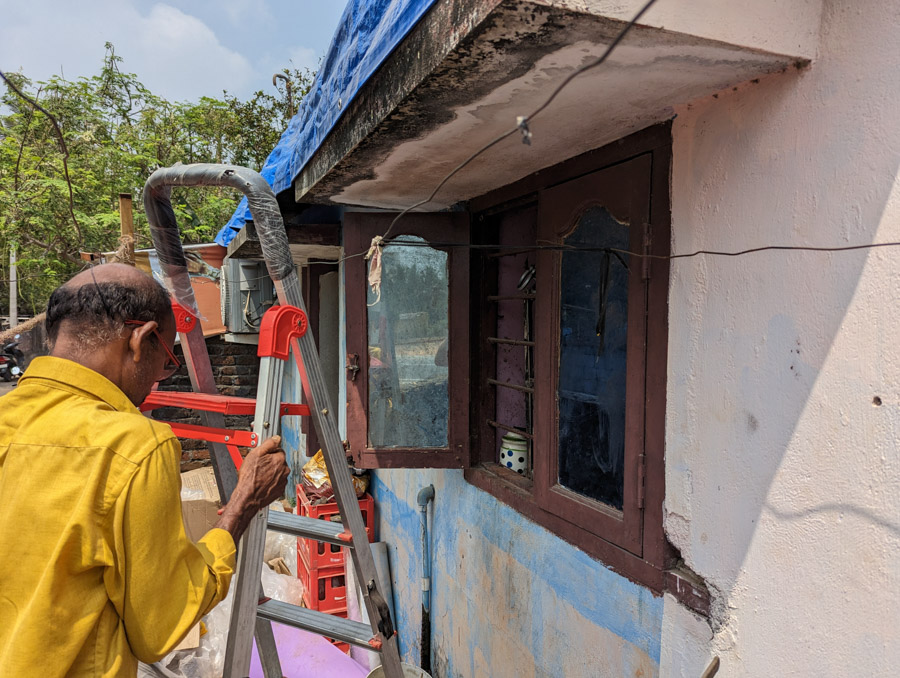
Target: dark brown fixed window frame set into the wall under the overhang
(643, 556)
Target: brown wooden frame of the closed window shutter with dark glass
(559, 209)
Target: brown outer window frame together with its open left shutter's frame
(654, 562)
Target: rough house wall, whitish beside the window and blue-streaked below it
(783, 419)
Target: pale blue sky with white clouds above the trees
(180, 49)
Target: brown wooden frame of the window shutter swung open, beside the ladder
(359, 229)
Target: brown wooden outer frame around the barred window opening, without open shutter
(637, 547)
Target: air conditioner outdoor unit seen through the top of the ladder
(247, 292)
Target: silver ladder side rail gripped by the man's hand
(246, 585)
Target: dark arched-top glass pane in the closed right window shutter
(593, 339)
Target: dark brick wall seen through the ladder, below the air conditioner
(236, 369)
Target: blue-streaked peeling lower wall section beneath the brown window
(508, 597)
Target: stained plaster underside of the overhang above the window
(507, 67)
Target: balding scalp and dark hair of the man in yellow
(94, 305)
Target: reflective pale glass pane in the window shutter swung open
(408, 340)
